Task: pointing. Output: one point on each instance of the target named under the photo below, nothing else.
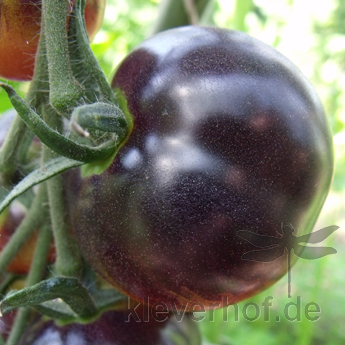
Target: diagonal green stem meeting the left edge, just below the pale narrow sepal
(30, 223)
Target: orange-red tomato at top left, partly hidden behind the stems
(19, 34)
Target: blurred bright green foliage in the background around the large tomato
(312, 34)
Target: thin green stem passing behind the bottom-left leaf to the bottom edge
(35, 275)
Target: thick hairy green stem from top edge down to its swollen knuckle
(65, 91)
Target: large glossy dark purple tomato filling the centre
(228, 135)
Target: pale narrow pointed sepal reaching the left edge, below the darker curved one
(47, 171)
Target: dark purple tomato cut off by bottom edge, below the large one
(113, 328)
